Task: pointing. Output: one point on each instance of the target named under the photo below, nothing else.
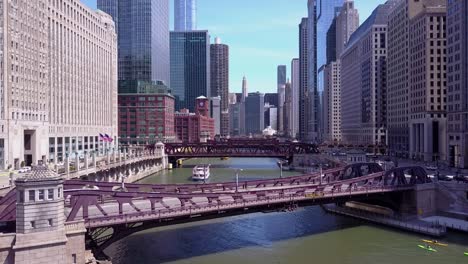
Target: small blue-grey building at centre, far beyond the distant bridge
(254, 113)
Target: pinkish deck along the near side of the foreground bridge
(170, 208)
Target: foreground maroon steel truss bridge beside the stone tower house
(111, 213)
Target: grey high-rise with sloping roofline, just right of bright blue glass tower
(363, 81)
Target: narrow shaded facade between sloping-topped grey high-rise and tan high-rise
(398, 80)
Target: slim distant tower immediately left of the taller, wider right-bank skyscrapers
(295, 85)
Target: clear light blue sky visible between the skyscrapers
(261, 34)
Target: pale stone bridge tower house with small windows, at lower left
(41, 233)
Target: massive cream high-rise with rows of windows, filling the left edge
(58, 88)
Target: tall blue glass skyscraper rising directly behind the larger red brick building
(143, 37)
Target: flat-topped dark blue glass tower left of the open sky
(190, 67)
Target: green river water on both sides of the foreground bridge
(307, 235)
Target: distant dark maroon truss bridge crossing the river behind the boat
(239, 148)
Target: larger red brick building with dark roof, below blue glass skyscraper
(146, 113)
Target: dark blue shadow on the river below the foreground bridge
(215, 236)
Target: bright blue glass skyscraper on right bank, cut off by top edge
(325, 12)
